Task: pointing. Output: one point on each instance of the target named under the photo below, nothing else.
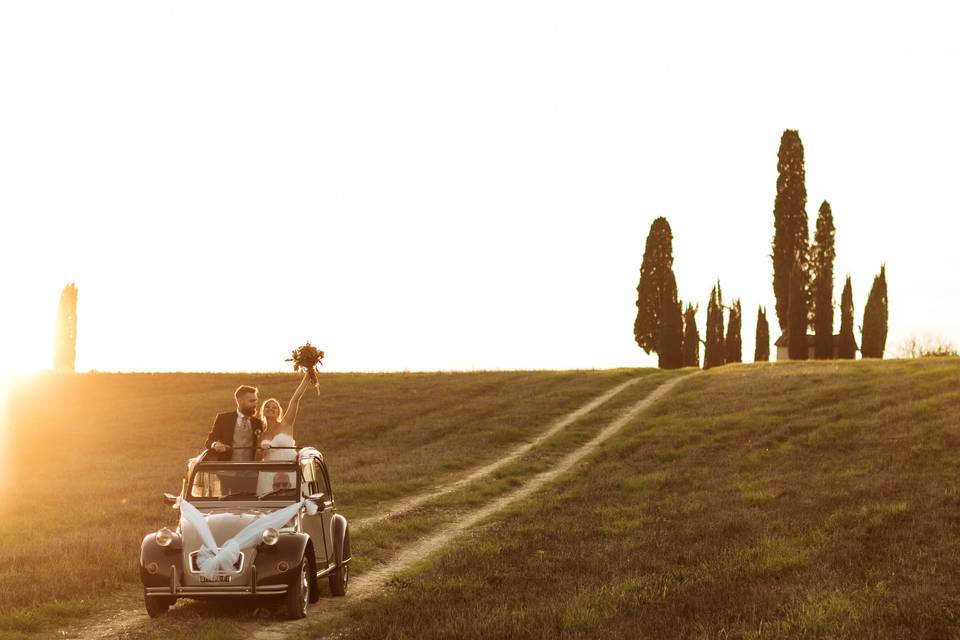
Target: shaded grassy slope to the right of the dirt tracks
(805, 500)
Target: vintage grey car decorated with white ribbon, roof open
(226, 504)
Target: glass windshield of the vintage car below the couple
(247, 483)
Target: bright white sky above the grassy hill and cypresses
(446, 186)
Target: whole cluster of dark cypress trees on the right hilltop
(803, 278)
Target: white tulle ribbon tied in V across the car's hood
(213, 558)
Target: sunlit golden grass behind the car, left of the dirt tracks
(87, 457)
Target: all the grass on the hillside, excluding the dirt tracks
(791, 500)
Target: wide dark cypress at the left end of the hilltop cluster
(655, 274)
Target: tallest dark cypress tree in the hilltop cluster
(791, 232)
